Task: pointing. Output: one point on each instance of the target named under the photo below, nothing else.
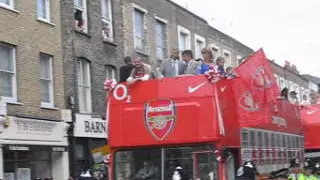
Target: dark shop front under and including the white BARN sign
(89, 134)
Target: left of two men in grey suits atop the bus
(172, 66)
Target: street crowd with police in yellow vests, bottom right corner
(310, 171)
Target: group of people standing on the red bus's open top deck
(173, 66)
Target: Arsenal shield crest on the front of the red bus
(160, 118)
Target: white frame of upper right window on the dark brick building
(107, 21)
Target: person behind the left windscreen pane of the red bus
(147, 172)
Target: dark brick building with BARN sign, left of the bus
(92, 43)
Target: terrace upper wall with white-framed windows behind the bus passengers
(153, 28)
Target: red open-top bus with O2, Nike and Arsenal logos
(242, 114)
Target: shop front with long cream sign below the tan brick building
(33, 148)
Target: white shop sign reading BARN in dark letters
(86, 126)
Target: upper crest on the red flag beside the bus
(261, 79)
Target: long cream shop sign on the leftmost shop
(25, 129)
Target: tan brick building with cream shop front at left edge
(32, 133)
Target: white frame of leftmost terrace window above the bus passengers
(144, 40)
